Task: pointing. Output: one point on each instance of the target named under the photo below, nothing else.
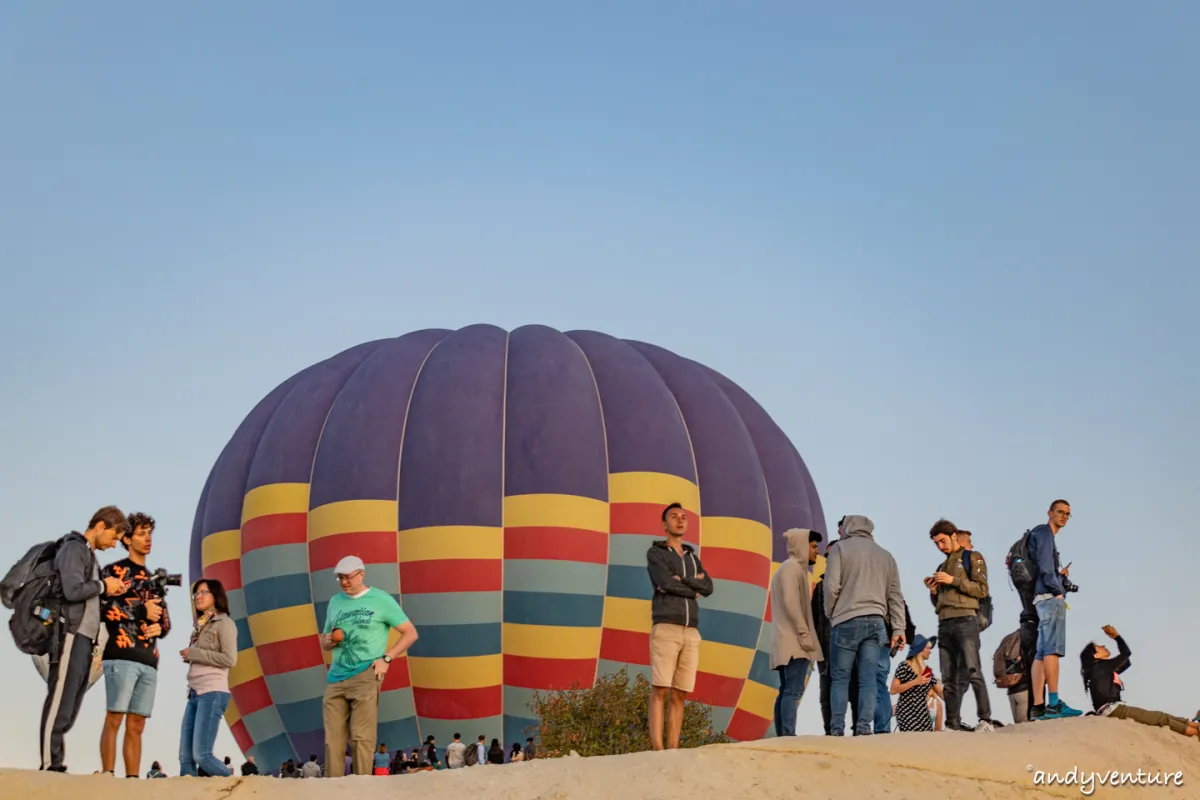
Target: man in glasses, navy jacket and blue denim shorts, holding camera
(1051, 604)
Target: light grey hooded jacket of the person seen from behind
(862, 579)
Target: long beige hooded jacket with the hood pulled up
(793, 633)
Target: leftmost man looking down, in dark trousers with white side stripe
(82, 590)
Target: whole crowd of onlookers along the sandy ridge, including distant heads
(851, 624)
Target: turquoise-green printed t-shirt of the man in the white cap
(367, 622)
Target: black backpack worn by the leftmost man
(34, 592)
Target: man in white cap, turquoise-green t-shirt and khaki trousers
(357, 627)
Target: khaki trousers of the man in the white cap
(352, 714)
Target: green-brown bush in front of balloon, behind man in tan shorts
(610, 719)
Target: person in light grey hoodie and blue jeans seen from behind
(863, 599)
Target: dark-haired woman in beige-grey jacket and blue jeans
(212, 653)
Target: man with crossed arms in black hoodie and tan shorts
(679, 579)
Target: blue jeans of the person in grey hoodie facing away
(860, 639)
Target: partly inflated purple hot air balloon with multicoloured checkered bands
(505, 488)
